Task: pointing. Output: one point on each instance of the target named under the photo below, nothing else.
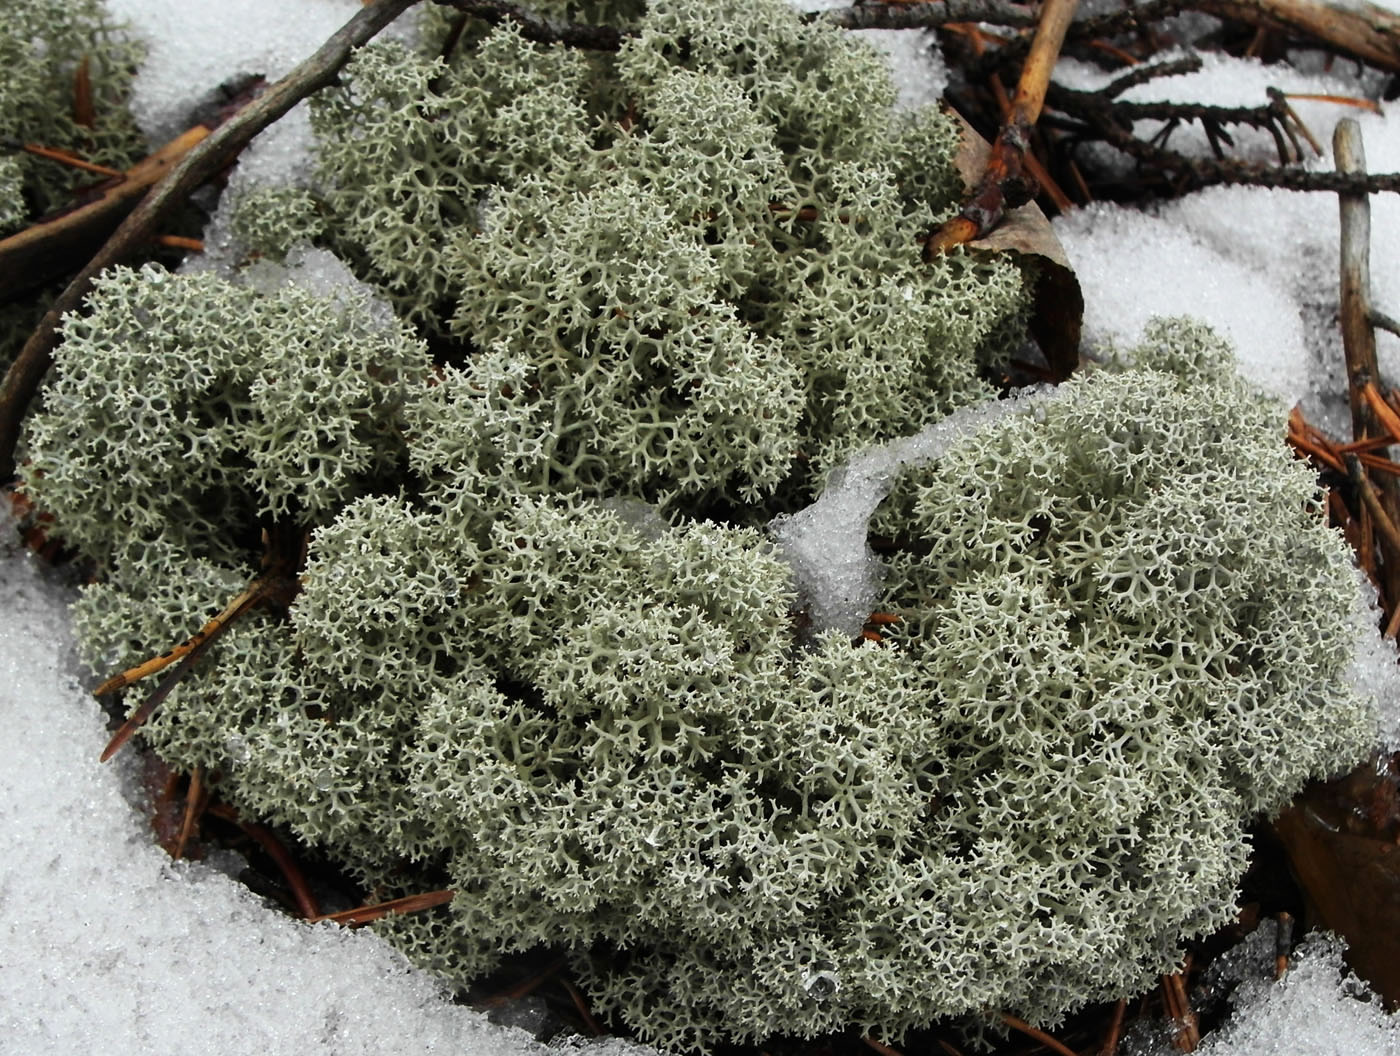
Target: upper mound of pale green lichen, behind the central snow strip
(702, 254)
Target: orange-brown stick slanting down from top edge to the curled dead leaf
(1007, 162)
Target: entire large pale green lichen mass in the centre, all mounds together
(541, 653)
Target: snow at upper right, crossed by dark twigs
(1259, 265)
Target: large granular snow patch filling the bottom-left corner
(111, 947)
